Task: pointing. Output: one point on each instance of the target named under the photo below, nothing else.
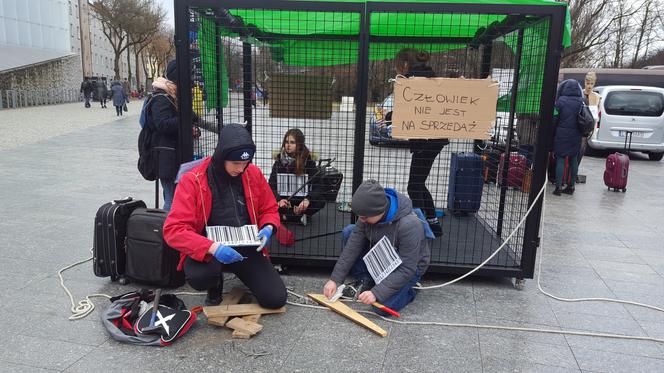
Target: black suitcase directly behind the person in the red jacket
(150, 260)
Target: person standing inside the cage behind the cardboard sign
(413, 62)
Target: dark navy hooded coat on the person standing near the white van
(567, 139)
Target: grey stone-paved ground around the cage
(60, 163)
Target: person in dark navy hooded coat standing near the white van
(567, 139)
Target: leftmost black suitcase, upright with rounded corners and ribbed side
(108, 249)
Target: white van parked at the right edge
(636, 109)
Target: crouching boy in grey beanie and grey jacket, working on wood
(383, 212)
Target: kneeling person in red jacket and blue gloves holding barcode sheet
(226, 190)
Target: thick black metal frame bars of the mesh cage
(555, 15)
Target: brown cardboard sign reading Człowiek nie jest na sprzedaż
(444, 108)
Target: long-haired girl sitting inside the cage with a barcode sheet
(293, 179)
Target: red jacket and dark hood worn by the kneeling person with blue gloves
(192, 204)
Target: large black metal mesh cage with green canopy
(325, 67)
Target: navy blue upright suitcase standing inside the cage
(464, 193)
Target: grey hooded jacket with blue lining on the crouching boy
(406, 233)
